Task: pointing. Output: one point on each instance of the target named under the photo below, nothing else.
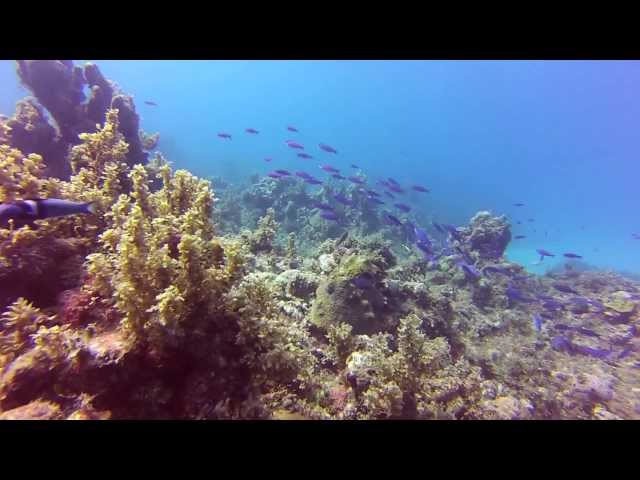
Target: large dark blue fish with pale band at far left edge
(25, 212)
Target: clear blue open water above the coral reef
(561, 137)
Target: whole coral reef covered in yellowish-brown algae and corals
(284, 297)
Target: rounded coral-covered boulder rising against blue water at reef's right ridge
(488, 235)
